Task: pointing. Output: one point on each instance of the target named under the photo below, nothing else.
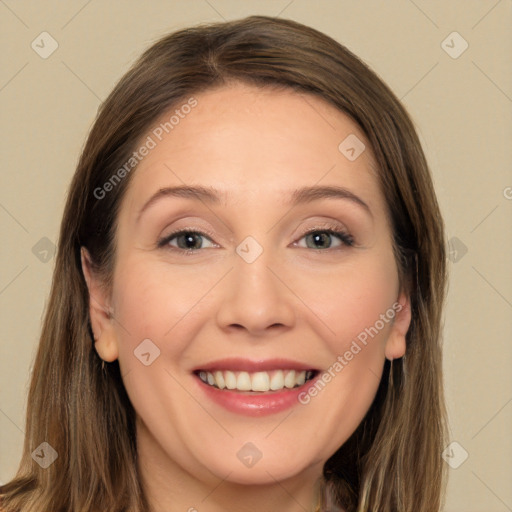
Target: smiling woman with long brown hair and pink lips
(246, 306)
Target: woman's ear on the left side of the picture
(100, 312)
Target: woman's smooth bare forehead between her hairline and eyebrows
(253, 141)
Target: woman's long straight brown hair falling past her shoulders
(392, 462)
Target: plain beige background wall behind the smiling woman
(462, 107)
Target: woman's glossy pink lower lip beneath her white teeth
(255, 404)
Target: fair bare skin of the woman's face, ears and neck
(306, 304)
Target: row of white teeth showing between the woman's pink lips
(256, 382)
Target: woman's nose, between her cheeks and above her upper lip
(257, 299)
